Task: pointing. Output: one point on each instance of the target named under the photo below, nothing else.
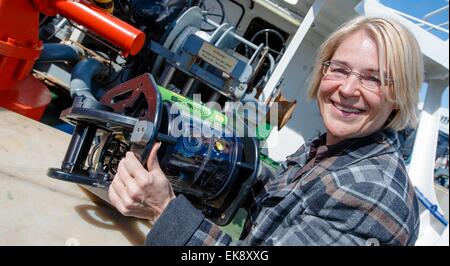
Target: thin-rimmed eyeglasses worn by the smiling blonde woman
(336, 71)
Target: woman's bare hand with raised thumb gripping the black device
(138, 192)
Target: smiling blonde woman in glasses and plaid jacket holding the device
(347, 187)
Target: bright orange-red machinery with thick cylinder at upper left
(20, 46)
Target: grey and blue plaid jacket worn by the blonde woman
(358, 194)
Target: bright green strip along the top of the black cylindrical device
(198, 110)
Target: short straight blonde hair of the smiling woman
(400, 58)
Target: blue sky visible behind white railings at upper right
(418, 9)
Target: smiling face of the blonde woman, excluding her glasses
(348, 109)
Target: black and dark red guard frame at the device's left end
(118, 110)
